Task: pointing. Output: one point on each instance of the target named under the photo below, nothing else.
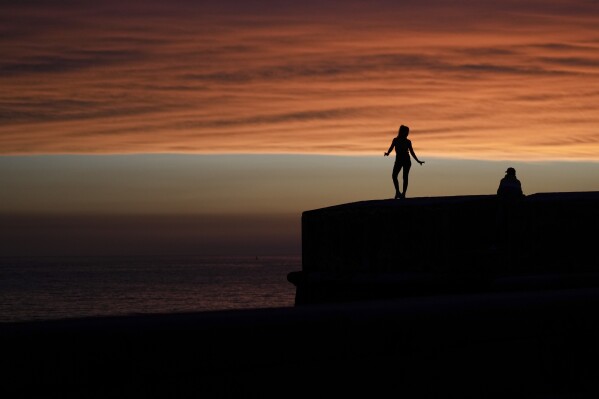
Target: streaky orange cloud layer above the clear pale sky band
(483, 80)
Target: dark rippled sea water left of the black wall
(41, 288)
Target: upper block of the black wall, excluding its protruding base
(542, 232)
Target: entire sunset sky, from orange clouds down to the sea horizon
(207, 127)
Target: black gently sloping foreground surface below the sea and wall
(541, 344)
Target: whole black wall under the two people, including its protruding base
(421, 246)
